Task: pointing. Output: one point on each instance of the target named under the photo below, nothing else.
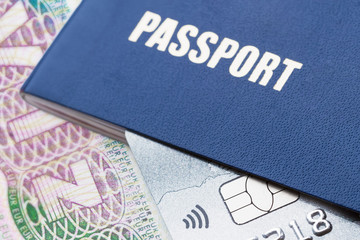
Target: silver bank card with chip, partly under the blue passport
(202, 200)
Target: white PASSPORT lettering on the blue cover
(244, 58)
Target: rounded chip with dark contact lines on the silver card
(248, 198)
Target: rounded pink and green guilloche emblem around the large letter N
(85, 197)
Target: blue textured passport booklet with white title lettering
(268, 87)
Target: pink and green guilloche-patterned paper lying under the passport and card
(63, 181)
